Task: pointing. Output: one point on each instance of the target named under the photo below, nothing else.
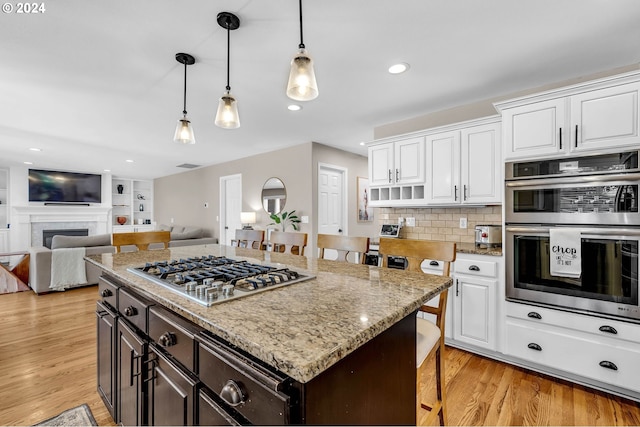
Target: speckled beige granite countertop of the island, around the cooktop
(301, 329)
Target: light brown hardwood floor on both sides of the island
(48, 364)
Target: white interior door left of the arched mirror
(230, 207)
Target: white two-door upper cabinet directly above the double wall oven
(599, 115)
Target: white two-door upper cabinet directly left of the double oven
(464, 166)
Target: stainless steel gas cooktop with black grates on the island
(211, 280)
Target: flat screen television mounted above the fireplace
(64, 187)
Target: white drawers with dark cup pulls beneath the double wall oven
(604, 350)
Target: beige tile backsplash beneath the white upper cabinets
(441, 223)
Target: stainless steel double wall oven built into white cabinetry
(599, 196)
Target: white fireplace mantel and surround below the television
(30, 221)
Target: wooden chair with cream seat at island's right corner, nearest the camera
(429, 335)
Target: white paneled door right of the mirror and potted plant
(331, 202)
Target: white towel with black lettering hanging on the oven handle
(565, 256)
